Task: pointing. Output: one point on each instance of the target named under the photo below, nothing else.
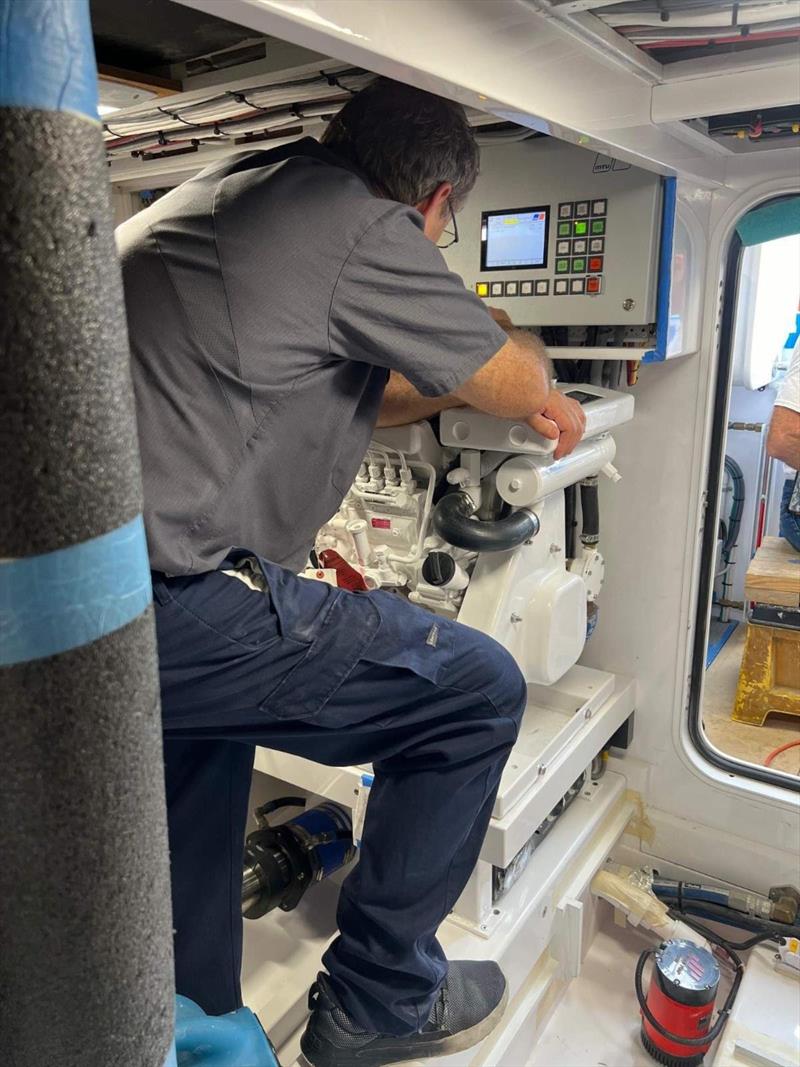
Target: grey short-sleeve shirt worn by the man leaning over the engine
(267, 300)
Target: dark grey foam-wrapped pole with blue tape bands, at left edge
(86, 938)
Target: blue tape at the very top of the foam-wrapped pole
(47, 56)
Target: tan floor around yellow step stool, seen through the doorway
(741, 740)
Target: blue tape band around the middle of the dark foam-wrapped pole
(73, 597)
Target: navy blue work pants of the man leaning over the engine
(341, 679)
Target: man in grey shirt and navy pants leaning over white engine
(279, 305)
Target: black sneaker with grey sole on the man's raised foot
(468, 1009)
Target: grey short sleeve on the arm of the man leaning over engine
(397, 306)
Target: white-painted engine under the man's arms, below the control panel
(532, 598)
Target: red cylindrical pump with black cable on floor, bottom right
(677, 1014)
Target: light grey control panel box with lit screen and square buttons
(556, 235)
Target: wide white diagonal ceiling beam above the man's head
(500, 56)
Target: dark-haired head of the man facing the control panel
(414, 148)
